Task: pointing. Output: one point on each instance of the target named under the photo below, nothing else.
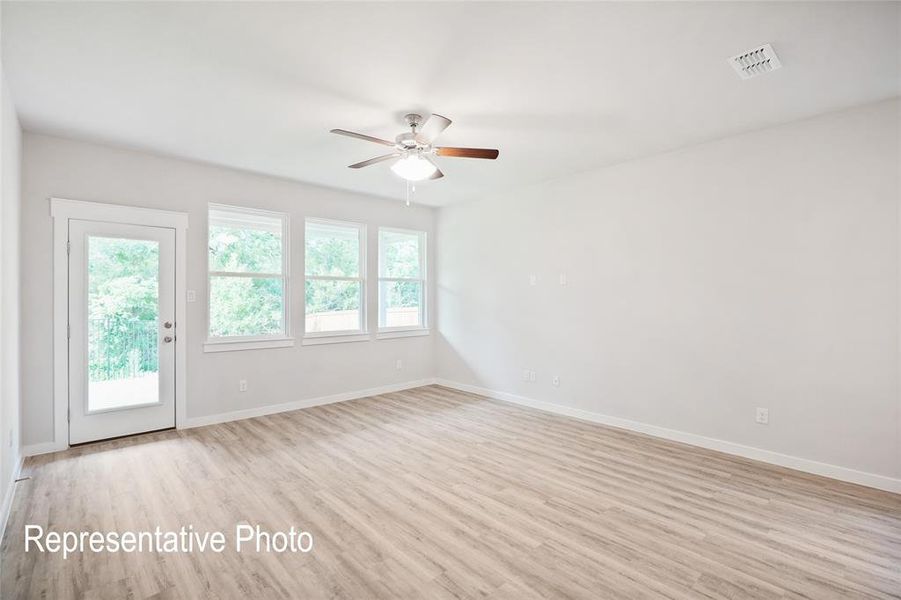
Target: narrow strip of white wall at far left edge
(10, 158)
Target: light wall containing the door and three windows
(54, 167)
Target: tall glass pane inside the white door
(123, 322)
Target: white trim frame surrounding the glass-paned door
(61, 211)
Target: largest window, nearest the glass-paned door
(248, 285)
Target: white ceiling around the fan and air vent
(557, 87)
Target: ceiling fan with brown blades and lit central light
(414, 150)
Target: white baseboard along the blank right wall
(873, 480)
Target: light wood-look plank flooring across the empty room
(434, 493)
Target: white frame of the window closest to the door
(252, 342)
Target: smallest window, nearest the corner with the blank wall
(402, 277)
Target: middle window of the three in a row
(335, 266)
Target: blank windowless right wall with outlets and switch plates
(759, 270)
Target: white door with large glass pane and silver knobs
(122, 335)
